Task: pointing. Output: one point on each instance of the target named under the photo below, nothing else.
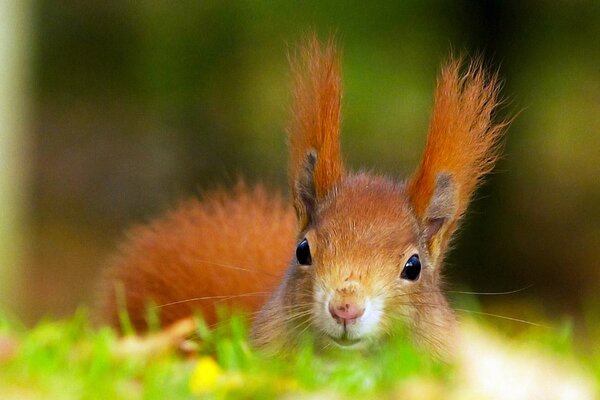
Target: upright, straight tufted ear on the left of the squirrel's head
(313, 135)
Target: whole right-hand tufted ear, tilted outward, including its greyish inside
(462, 147)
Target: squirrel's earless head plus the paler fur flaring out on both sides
(362, 269)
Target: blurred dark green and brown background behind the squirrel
(117, 109)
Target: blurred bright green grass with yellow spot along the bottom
(67, 359)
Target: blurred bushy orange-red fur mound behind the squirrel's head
(228, 244)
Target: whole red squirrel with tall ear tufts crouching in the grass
(352, 255)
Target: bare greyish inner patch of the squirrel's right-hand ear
(442, 206)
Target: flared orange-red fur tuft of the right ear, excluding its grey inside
(462, 139)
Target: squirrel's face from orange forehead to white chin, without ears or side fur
(369, 267)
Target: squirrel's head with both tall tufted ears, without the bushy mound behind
(370, 250)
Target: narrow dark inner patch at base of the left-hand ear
(306, 196)
